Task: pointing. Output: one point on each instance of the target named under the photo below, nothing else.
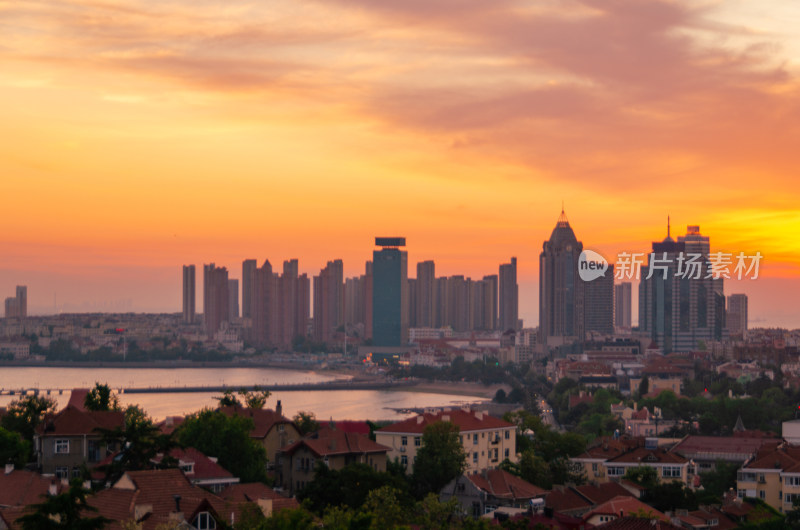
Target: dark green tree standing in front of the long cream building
(440, 459)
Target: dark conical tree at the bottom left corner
(65, 511)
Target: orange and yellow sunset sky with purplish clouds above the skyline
(140, 136)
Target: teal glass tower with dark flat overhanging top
(390, 292)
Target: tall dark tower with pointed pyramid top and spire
(561, 296)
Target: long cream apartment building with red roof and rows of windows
(486, 440)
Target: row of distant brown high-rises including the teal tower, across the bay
(381, 305)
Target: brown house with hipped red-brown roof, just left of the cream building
(297, 463)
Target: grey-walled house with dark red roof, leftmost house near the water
(71, 438)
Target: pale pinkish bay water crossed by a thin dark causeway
(338, 404)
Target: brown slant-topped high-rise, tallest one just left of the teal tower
(328, 301)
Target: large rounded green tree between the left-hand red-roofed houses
(228, 438)
